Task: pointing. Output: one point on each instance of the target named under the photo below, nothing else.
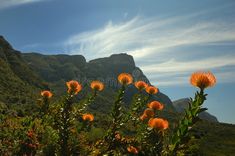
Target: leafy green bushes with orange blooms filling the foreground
(64, 126)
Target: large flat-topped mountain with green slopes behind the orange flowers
(31, 72)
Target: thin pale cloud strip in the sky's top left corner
(11, 3)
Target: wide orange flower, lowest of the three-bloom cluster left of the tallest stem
(158, 123)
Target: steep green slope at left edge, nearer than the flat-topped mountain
(17, 81)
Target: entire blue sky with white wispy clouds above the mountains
(169, 39)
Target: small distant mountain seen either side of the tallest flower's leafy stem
(181, 104)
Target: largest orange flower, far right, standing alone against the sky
(203, 79)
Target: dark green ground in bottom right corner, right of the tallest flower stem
(211, 138)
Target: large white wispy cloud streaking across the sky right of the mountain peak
(158, 44)
